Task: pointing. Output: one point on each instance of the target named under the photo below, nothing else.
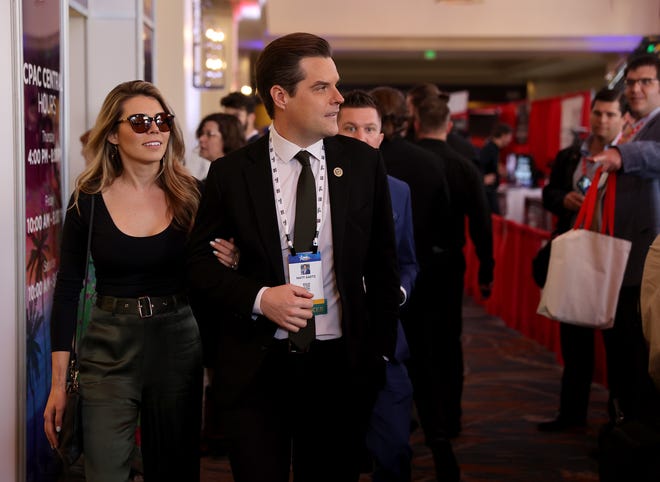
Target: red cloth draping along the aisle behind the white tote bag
(515, 296)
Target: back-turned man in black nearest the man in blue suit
(424, 316)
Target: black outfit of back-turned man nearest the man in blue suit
(423, 315)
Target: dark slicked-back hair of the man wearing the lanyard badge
(279, 64)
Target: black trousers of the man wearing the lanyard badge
(302, 410)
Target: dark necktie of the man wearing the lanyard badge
(303, 236)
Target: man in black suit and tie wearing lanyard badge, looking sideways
(286, 401)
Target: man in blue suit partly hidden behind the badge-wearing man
(389, 431)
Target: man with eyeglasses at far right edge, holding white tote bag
(637, 218)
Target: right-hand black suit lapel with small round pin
(339, 175)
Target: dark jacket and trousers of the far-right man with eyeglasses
(637, 219)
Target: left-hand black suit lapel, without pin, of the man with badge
(259, 184)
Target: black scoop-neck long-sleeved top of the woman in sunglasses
(126, 266)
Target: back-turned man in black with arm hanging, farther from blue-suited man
(468, 200)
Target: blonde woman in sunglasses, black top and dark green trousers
(140, 357)
